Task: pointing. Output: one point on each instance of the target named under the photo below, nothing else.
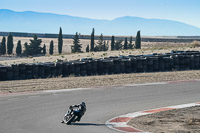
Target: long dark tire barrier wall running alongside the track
(174, 61)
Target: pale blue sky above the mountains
(187, 11)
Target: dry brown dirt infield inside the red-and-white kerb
(184, 120)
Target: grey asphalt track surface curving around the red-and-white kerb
(42, 113)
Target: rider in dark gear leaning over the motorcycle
(82, 109)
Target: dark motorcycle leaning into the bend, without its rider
(71, 115)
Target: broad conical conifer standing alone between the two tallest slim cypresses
(76, 47)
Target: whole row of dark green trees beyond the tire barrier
(35, 48)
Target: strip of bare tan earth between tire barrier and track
(94, 81)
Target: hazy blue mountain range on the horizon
(28, 21)
